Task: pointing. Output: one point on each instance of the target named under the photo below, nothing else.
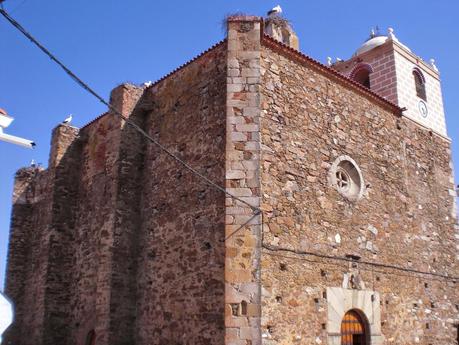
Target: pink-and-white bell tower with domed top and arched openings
(391, 69)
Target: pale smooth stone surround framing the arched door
(365, 302)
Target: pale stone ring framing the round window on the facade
(337, 167)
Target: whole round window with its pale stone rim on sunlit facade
(347, 178)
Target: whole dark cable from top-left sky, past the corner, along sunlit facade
(256, 210)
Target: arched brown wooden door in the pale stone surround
(354, 330)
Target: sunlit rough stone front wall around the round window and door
(404, 218)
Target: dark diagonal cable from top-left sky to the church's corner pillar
(118, 113)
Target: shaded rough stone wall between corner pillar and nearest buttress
(180, 279)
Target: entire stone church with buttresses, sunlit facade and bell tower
(329, 219)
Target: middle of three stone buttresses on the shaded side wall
(64, 171)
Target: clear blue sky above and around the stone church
(108, 42)
